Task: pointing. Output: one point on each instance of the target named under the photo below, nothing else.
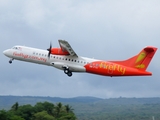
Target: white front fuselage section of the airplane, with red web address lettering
(39, 56)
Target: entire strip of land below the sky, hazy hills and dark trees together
(85, 108)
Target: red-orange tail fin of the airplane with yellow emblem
(141, 60)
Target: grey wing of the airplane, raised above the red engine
(65, 46)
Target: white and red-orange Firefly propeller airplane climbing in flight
(66, 59)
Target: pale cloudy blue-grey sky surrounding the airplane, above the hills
(107, 30)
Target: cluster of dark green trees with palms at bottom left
(41, 111)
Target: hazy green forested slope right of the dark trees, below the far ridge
(99, 111)
